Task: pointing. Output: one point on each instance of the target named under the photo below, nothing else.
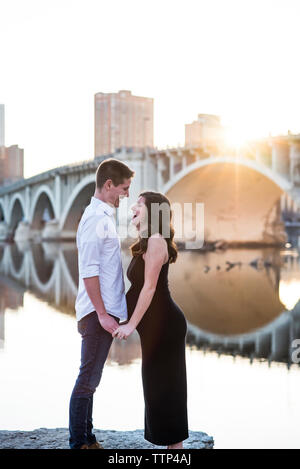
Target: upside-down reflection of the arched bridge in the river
(239, 301)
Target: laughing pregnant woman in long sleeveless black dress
(159, 321)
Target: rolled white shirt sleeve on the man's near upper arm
(91, 245)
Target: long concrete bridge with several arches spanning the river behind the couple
(244, 196)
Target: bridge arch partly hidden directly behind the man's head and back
(78, 200)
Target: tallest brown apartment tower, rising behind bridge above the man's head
(122, 120)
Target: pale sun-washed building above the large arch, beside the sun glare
(206, 131)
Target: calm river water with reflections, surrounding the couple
(243, 311)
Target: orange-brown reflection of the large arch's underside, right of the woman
(228, 293)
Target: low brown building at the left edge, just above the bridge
(11, 164)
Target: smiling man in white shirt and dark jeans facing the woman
(101, 301)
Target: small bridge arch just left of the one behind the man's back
(42, 207)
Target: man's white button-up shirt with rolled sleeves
(99, 254)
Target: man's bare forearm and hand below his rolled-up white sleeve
(92, 287)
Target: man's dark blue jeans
(95, 346)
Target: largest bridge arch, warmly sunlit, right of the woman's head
(241, 201)
